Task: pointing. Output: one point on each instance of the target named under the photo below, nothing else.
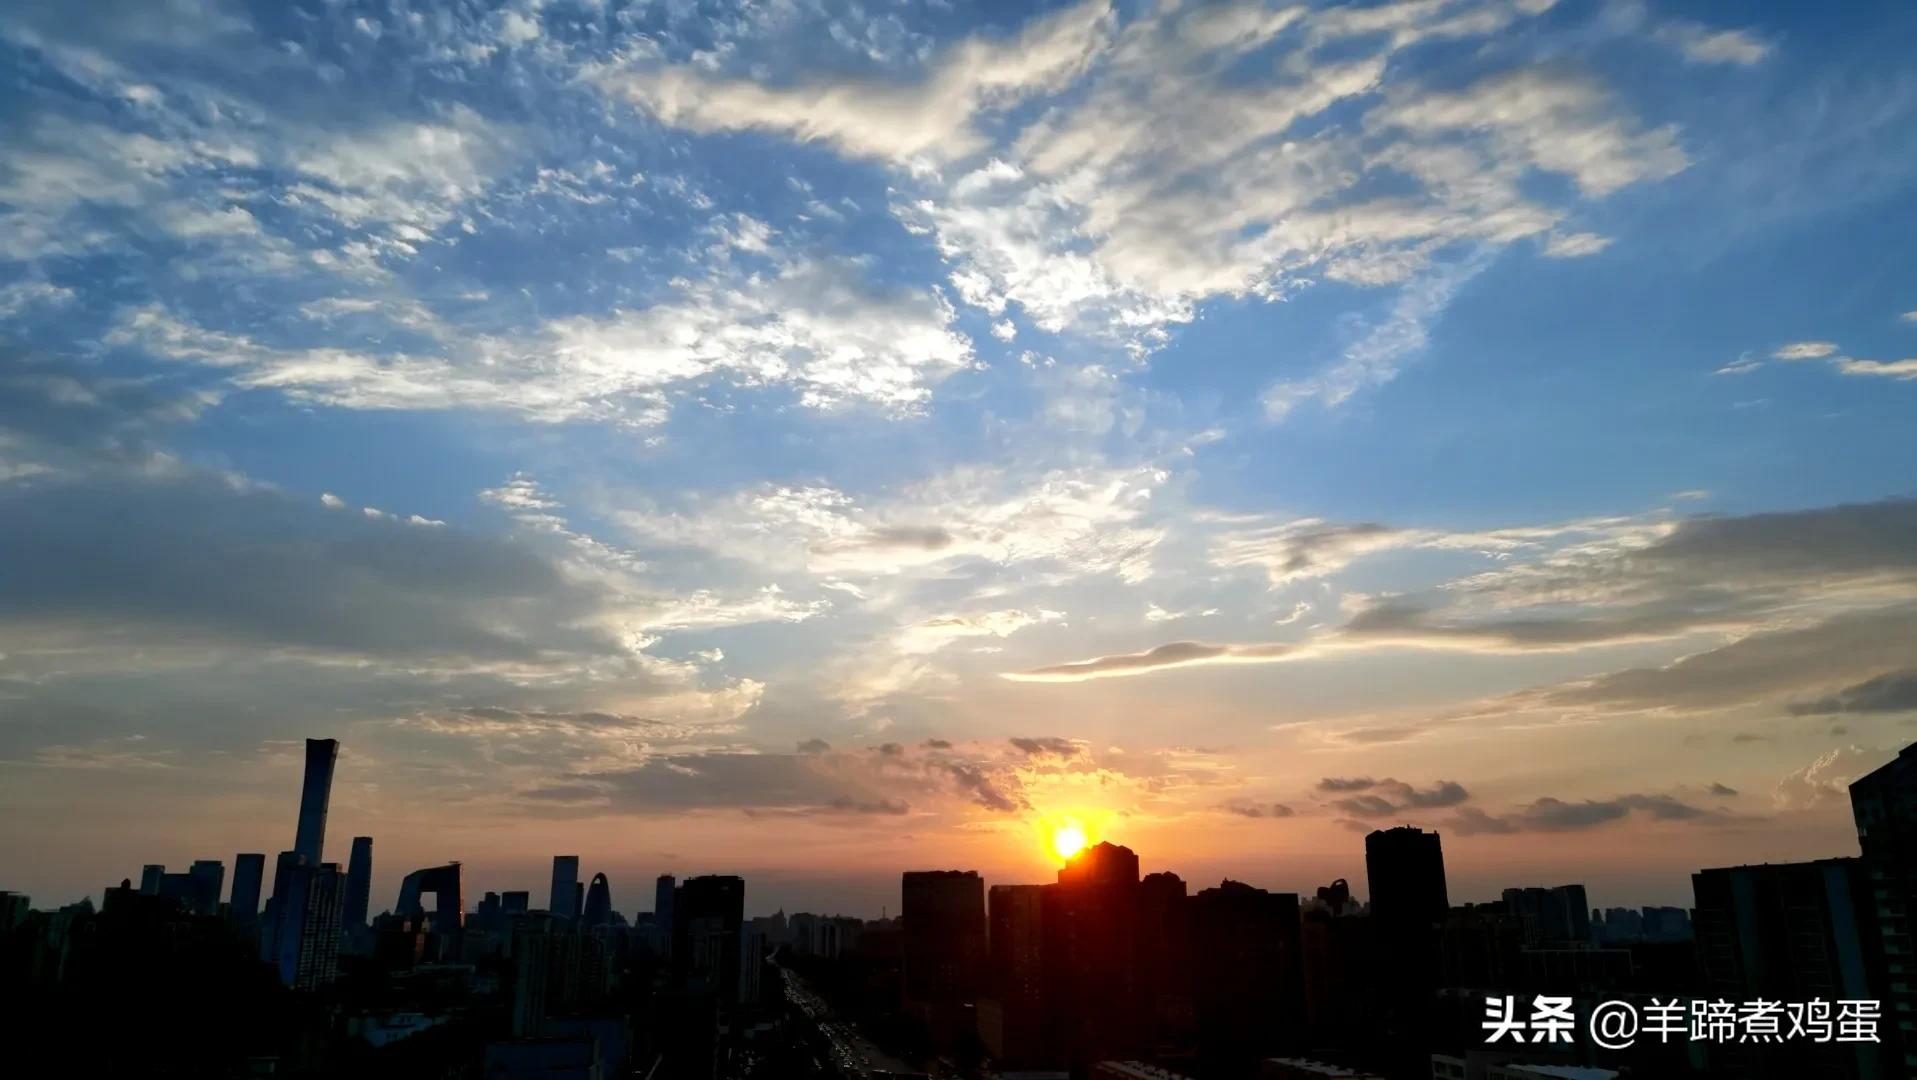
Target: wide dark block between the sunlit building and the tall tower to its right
(1249, 974)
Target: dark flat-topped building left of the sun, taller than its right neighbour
(944, 941)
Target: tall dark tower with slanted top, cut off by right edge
(1885, 810)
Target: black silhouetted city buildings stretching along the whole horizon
(1103, 974)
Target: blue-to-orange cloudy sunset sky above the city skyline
(825, 440)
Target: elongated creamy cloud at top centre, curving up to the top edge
(871, 118)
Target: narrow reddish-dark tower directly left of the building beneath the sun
(1011, 1018)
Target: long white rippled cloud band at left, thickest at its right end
(814, 327)
